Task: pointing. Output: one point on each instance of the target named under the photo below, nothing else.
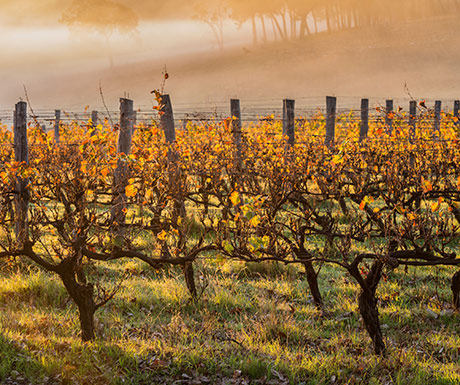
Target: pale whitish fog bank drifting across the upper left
(49, 60)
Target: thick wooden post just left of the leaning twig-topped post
(121, 174)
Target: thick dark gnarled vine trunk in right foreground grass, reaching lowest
(368, 307)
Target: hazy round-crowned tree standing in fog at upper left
(102, 16)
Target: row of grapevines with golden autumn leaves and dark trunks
(367, 207)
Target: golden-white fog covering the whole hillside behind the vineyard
(256, 58)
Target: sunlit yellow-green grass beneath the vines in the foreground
(254, 323)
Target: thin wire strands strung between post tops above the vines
(252, 111)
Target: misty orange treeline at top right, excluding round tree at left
(291, 19)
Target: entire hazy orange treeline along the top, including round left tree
(270, 20)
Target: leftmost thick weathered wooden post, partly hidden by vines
(21, 154)
